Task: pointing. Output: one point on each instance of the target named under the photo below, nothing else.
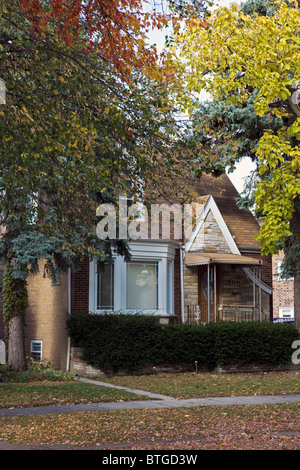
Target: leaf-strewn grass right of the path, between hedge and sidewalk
(192, 385)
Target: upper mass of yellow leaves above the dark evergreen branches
(236, 52)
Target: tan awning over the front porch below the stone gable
(196, 259)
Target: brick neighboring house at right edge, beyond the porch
(283, 293)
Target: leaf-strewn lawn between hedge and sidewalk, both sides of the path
(59, 390)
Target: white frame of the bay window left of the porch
(161, 252)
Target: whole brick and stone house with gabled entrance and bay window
(204, 271)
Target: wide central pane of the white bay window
(142, 286)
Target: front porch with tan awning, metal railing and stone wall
(224, 287)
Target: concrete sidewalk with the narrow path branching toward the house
(155, 401)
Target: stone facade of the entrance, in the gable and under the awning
(234, 296)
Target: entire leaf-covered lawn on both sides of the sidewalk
(263, 427)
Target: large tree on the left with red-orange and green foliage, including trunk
(88, 112)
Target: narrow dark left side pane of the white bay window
(105, 286)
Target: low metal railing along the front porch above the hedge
(236, 313)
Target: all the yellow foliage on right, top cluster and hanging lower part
(236, 53)
